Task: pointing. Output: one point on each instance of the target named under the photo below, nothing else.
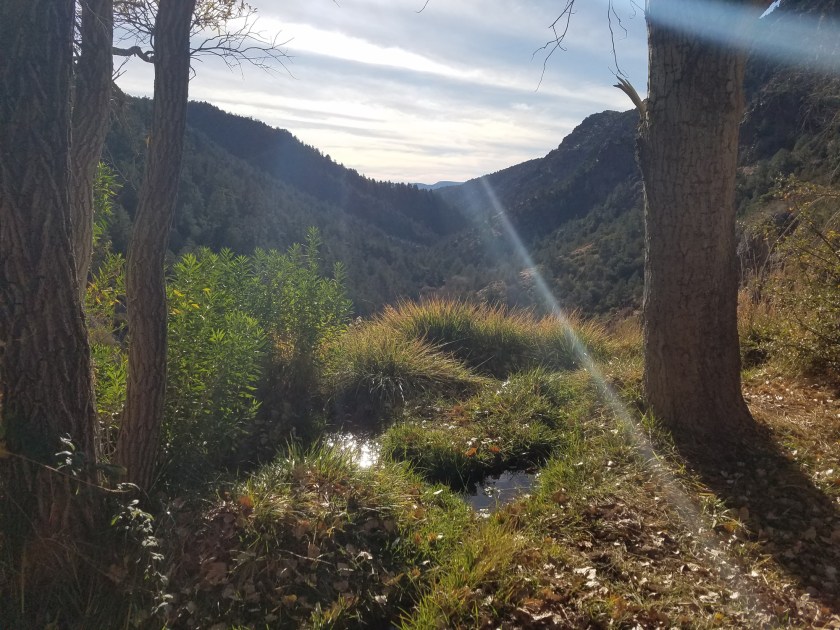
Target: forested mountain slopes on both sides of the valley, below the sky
(575, 214)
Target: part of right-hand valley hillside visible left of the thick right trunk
(576, 212)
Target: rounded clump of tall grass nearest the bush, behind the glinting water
(372, 366)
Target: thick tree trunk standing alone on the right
(688, 154)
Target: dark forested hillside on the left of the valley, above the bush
(270, 196)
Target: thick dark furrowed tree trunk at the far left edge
(45, 376)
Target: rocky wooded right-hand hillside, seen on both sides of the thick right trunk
(578, 210)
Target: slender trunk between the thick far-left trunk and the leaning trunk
(91, 105)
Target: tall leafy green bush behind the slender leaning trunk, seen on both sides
(241, 331)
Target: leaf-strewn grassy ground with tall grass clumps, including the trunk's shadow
(618, 530)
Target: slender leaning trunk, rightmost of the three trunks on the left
(137, 445)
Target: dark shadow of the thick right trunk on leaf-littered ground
(791, 519)
